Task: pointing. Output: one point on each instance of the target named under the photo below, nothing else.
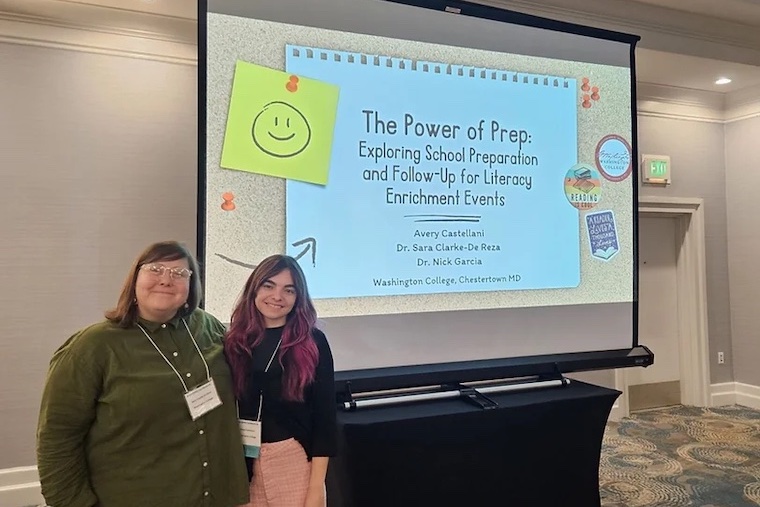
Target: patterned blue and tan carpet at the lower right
(682, 456)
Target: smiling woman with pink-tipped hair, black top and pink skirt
(282, 370)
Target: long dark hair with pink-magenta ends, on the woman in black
(298, 352)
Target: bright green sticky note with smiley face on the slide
(280, 124)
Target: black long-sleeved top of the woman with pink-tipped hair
(311, 422)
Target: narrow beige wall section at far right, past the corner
(743, 198)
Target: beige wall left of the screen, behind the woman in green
(98, 157)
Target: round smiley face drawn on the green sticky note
(281, 130)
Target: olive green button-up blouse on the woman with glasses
(115, 431)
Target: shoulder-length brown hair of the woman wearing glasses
(125, 313)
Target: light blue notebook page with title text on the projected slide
(443, 178)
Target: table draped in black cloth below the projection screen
(537, 448)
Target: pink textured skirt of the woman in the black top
(280, 475)
